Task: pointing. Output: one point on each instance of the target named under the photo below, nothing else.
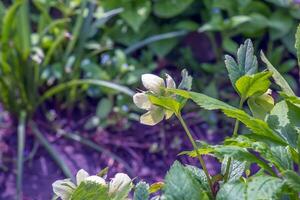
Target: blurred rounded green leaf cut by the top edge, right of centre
(168, 9)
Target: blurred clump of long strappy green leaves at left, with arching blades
(31, 45)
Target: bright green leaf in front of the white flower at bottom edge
(90, 190)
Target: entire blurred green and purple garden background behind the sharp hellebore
(68, 69)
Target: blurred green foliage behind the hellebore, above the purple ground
(74, 54)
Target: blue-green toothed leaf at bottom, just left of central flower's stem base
(181, 185)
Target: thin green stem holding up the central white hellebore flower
(196, 149)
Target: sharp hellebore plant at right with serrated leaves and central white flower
(271, 142)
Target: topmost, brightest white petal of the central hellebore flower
(153, 82)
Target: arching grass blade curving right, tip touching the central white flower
(63, 86)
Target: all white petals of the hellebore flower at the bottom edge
(65, 188)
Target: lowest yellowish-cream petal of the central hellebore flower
(152, 117)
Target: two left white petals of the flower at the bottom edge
(65, 188)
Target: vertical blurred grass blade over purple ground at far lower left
(21, 145)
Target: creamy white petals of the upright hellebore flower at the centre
(155, 85)
